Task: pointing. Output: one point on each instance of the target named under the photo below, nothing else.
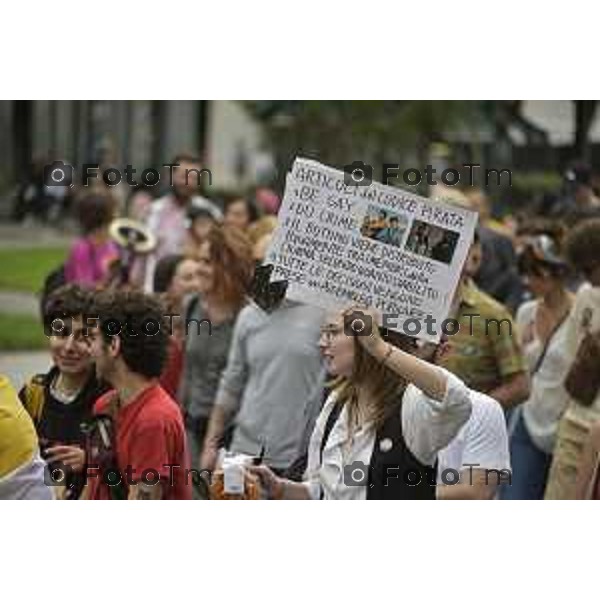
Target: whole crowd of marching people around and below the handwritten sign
(156, 379)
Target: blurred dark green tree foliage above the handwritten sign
(340, 131)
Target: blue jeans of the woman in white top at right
(530, 466)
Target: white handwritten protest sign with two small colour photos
(338, 243)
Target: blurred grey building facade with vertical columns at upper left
(141, 133)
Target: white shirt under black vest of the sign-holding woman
(427, 424)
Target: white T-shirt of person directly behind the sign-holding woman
(483, 441)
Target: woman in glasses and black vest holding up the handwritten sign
(382, 426)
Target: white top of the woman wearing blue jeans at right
(548, 398)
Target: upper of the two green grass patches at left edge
(25, 269)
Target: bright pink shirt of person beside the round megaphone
(89, 264)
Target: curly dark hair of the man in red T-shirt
(139, 321)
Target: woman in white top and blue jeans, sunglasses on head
(542, 324)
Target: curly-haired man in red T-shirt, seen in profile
(143, 454)
